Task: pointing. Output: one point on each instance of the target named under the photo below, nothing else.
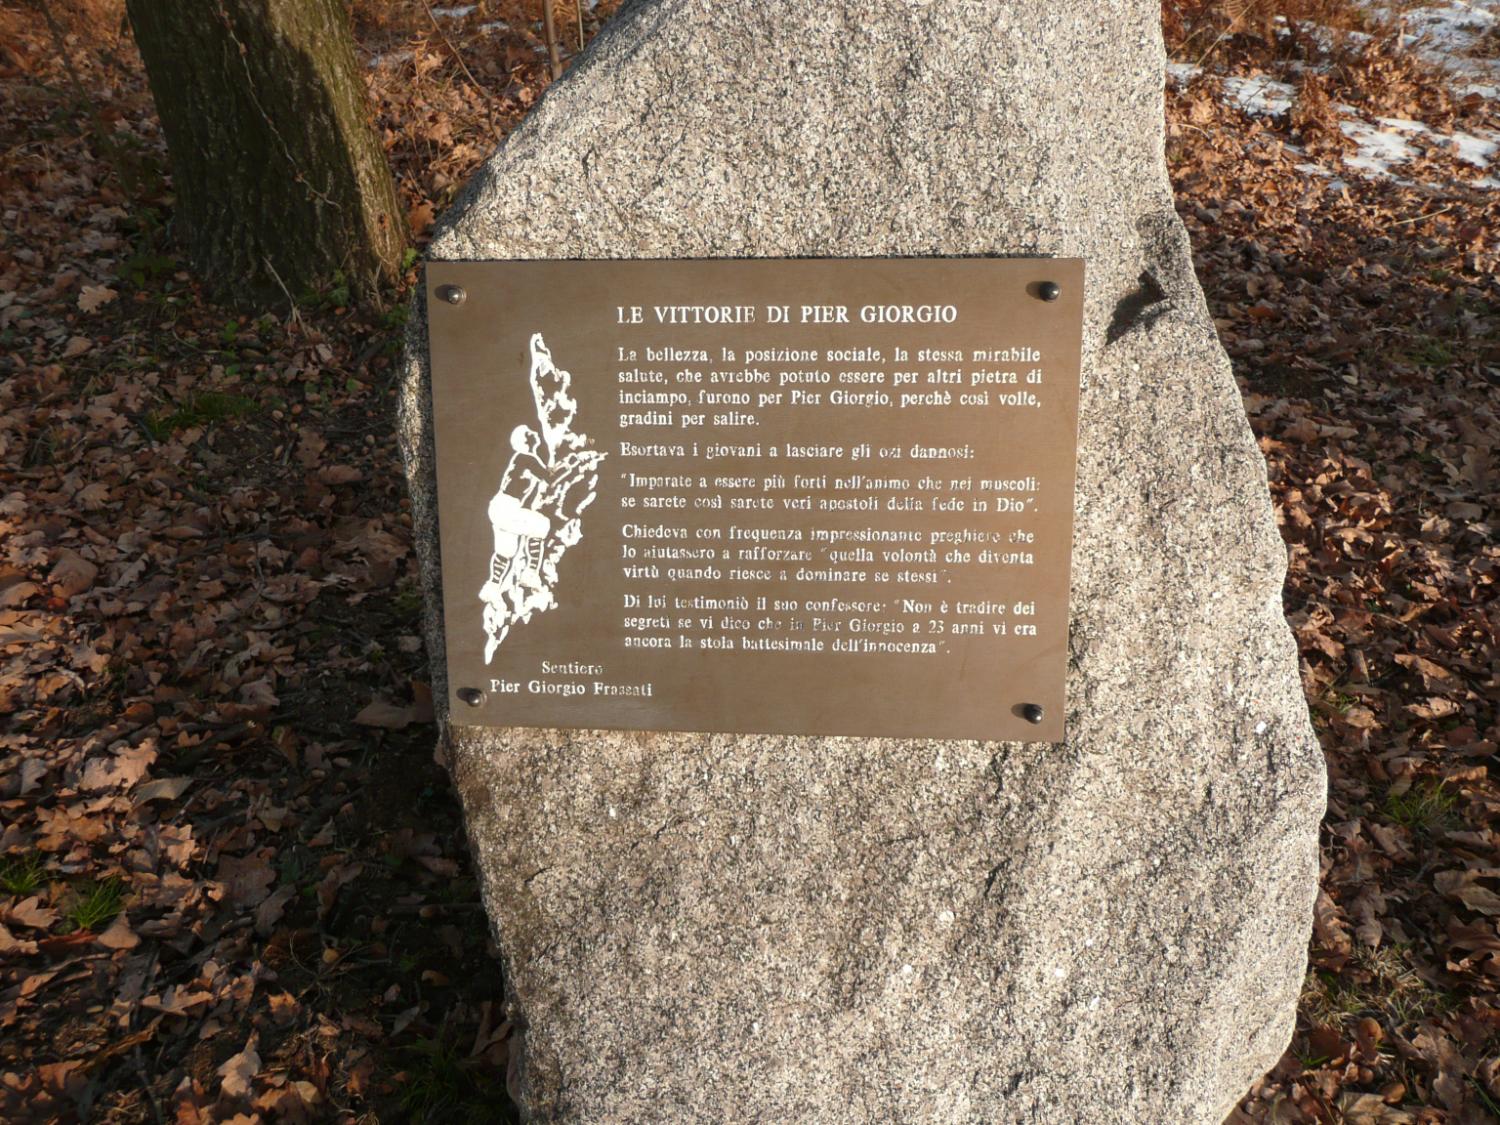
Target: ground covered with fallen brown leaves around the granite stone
(235, 884)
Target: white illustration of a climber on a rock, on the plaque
(535, 514)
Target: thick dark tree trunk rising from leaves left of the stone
(281, 184)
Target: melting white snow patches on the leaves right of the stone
(1444, 34)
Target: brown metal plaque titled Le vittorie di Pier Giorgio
(826, 497)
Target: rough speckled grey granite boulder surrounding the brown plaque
(763, 929)
